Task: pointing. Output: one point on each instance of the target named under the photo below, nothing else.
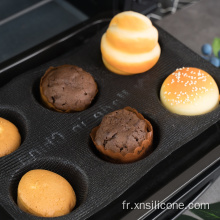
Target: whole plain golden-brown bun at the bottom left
(45, 193)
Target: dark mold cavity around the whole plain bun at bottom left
(73, 174)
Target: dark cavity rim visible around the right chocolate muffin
(156, 140)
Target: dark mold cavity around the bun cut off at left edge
(17, 119)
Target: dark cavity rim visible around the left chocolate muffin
(37, 96)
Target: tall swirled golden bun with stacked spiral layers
(130, 44)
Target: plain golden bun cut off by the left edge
(10, 138)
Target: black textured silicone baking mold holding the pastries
(60, 142)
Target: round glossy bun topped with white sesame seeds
(189, 91)
